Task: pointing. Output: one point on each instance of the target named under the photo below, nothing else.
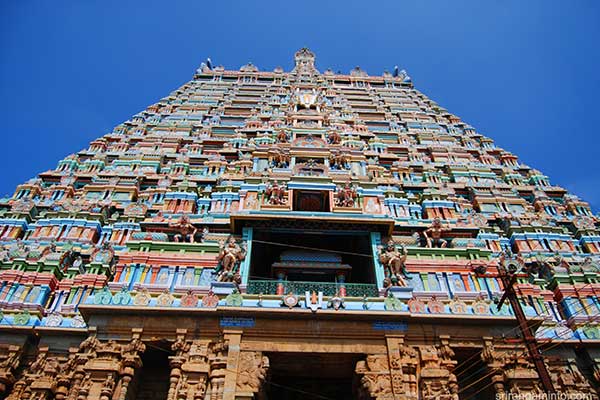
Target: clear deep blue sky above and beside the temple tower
(526, 73)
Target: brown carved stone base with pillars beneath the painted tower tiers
(204, 356)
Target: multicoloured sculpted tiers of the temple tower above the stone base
(144, 216)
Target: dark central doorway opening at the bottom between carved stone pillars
(311, 376)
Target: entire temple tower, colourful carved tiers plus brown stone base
(295, 235)
